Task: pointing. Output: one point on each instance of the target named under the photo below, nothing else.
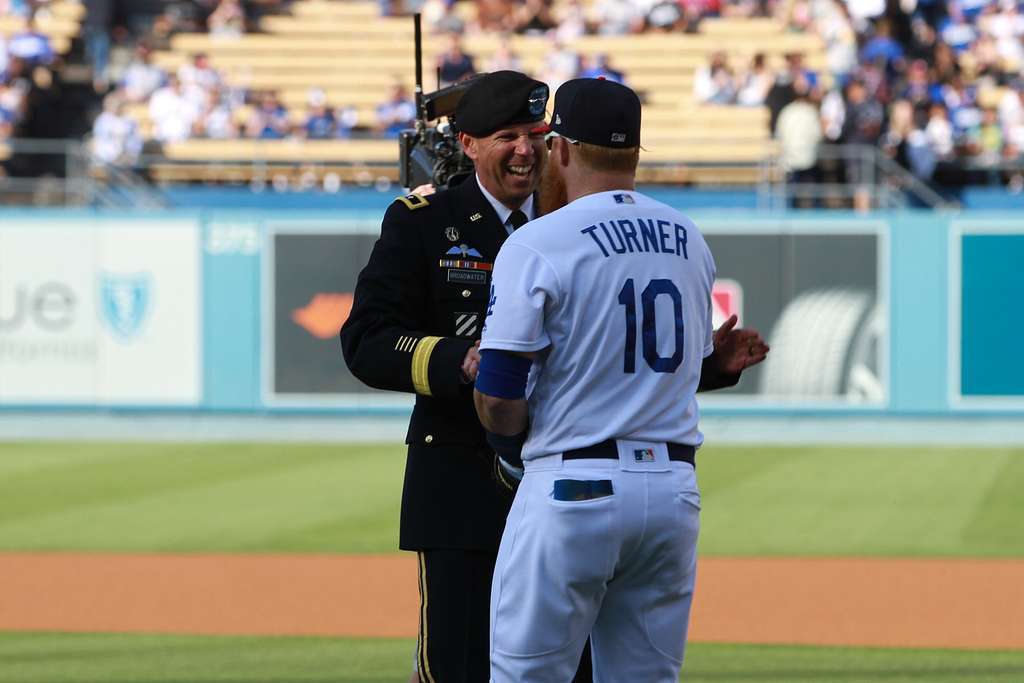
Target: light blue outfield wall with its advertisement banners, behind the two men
(943, 309)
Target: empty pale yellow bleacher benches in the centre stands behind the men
(354, 55)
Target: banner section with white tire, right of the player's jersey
(821, 302)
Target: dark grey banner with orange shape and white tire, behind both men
(820, 298)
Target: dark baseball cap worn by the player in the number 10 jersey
(598, 112)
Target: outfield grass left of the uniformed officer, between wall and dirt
(197, 498)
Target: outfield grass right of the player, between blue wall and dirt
(884, 502)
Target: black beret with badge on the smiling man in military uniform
(500, 99)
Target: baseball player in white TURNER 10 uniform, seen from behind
(601, 314)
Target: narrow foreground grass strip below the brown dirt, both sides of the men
(149, 659)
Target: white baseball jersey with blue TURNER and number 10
(614, 292)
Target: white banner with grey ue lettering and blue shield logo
(100, 313)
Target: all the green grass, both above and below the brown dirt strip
(345, 499)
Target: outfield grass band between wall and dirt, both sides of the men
(346, 499)
